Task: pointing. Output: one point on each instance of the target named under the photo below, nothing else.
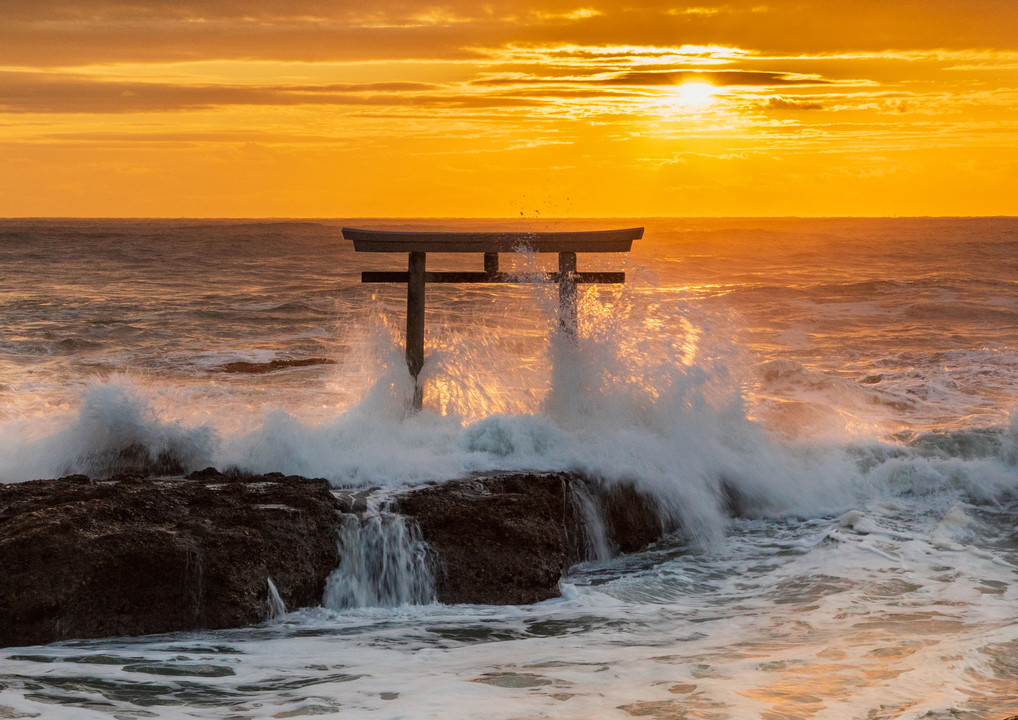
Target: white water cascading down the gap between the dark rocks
(384, 563)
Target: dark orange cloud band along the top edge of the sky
(69, 33)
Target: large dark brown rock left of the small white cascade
(135, 556)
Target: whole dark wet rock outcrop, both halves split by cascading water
(136, 556)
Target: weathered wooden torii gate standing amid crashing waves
(419, 245)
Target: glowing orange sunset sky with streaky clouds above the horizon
(534, 108)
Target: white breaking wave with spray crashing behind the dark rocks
(671, 409)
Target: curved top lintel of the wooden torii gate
(430, 242)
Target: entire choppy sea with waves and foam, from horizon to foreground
(856, 380)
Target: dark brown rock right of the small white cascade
(508, 539)
